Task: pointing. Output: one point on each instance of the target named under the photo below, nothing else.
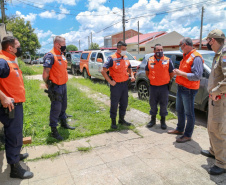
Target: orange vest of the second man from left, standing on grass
(58, 72)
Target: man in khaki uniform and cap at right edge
(217, 103)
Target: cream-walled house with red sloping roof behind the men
(169, 41)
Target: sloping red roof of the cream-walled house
(145, 37)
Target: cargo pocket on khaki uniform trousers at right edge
(218, 111)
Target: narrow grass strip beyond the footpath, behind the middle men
(135, 103)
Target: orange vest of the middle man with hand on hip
(119, 70)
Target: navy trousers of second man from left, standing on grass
(58, 107)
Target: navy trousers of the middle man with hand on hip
(119, 95)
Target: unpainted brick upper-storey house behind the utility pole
(112, 40)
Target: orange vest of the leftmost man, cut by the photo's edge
(13, 85)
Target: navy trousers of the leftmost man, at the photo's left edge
(13, 129)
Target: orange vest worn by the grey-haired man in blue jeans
(185, 66)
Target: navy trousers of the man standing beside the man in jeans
(159, 94)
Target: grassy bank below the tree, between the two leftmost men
(28, 69)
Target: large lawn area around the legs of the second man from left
(88, 117)
